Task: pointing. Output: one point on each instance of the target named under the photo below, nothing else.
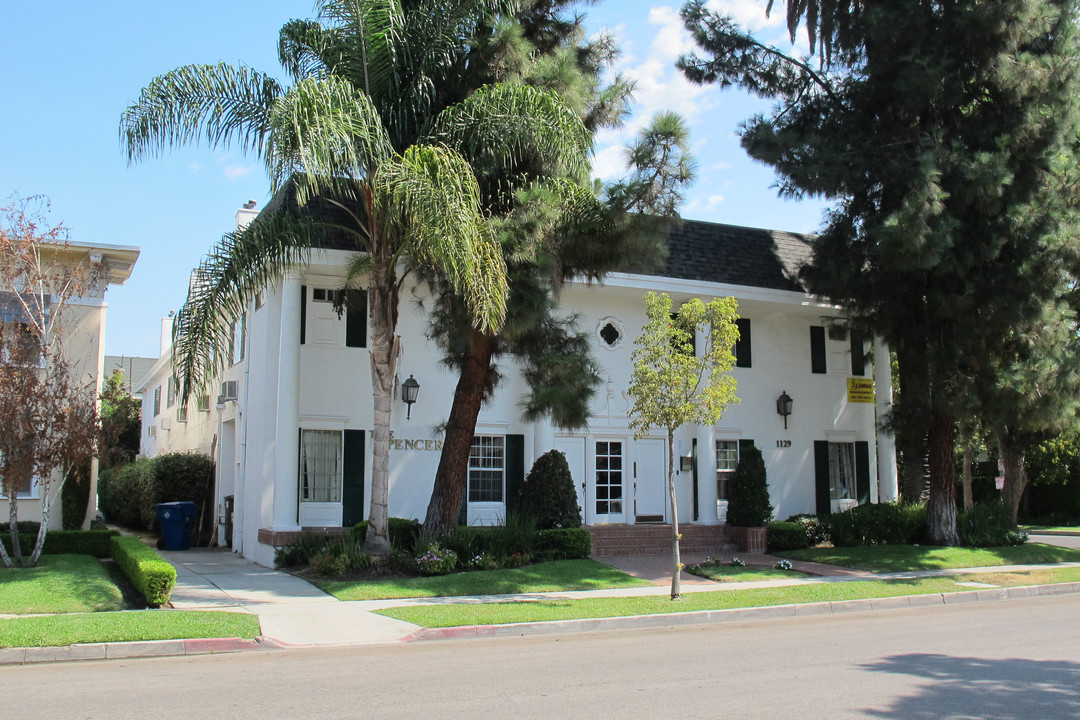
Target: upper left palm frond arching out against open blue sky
(217, 103)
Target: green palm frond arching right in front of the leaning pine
(505, 125)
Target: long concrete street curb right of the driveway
(738, 615)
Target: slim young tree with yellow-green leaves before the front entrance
(676, 384)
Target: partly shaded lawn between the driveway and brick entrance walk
(541, 578)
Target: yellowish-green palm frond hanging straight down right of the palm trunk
(430, 197)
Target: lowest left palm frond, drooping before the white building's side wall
(223, 286)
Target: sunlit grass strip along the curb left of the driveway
(55, 631)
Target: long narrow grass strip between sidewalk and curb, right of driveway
(501, 614)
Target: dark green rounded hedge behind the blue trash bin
(129, 495)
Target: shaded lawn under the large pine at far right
(900, 559)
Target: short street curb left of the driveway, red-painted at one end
(138, 649)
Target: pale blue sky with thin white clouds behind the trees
(71, 70)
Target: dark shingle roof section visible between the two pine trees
(715, 253)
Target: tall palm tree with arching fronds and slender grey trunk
(367, 127)
